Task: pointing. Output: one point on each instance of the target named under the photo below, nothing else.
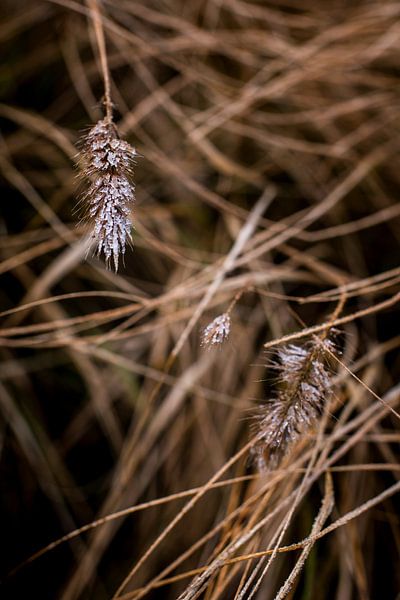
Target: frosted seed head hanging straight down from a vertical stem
(107, 161)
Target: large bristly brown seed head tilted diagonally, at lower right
(304, 385)
